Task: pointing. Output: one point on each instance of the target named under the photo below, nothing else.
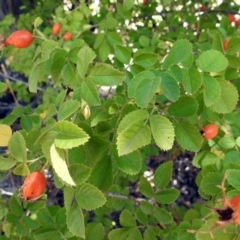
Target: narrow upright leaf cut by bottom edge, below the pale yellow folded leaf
(75, 221)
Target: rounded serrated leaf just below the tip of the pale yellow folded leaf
(89, 197)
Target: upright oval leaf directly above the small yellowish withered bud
(89, 93)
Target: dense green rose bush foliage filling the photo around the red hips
(137, 79)
